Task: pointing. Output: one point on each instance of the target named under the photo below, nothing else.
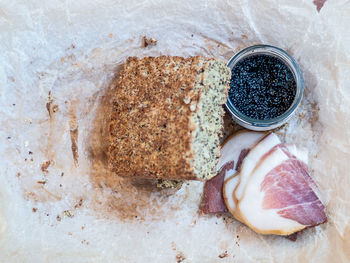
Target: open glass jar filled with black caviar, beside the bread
(266, 87)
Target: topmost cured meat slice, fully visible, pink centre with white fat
(279, 196)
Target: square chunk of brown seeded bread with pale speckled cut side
(167, 117)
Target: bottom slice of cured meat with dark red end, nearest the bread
(233, 151)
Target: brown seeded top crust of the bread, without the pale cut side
(152, 127)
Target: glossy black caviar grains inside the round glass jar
(262, 87)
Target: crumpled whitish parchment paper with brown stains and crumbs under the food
(57, 62)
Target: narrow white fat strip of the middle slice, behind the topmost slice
(252, 159)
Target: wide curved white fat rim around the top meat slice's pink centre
(251, 208)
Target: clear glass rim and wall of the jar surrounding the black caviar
(269, 124)
